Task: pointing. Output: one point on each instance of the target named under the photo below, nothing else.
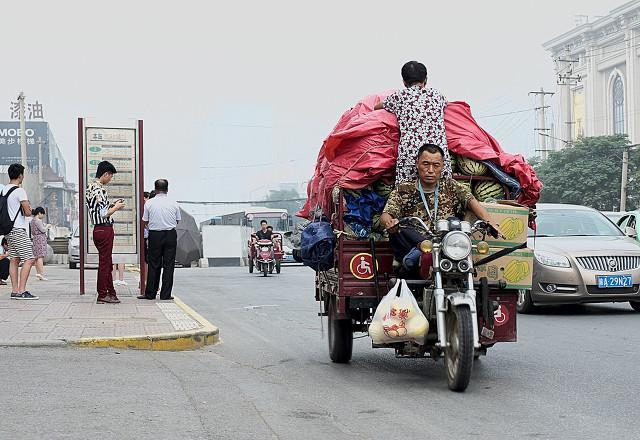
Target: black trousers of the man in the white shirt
(161, 258)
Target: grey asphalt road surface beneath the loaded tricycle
(573, 374)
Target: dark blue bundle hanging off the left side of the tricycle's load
(317, 244)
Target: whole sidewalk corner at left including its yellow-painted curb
(63, 317)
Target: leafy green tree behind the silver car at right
(588, 173)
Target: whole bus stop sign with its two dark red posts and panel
(121, 144)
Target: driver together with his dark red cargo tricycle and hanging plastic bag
(419, 292)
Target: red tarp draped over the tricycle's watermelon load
(363, 148)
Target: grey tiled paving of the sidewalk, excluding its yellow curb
(62, 314)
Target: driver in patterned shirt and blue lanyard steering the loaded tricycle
(431, 197)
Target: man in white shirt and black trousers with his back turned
(161, 215)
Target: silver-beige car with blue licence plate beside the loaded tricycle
(581, 257)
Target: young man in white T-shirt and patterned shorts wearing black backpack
(14, 208)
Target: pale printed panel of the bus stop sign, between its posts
(118, 146)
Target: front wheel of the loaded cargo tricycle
(458, 356)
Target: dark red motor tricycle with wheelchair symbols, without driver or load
(466, 315)
